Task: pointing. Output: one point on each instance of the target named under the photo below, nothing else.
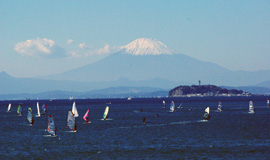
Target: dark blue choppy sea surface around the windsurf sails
(231, 134)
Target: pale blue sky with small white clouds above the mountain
(40, 37)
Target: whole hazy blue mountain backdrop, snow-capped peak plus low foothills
(144, 63)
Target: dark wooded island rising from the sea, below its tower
(204, 90)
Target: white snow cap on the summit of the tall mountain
(147, 46)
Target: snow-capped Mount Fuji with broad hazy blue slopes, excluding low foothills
(150, 60)
